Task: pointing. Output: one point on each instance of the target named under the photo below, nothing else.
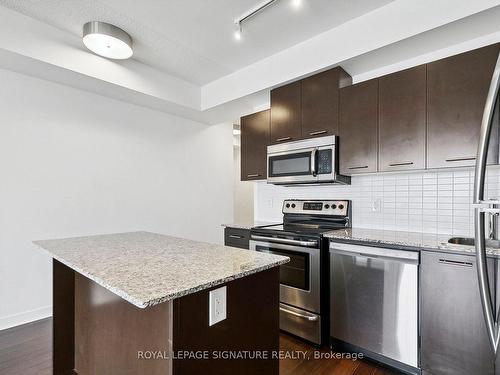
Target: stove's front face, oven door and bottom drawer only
(299, 283)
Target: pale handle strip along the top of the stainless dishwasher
(406, 256)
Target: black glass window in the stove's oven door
(296, 272)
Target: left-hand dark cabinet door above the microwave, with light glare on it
(286, 113)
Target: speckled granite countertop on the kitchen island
(146, 268)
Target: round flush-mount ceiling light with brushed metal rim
(107, 40)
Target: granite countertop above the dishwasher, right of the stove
(404, 240)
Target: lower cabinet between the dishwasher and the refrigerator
(453, 333)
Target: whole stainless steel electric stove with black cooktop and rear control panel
(304, 306)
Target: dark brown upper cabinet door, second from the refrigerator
(402, 120)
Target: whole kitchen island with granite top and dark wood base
(138, 303)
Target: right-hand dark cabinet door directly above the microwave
(320, 102)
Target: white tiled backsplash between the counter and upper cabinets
(438, 201)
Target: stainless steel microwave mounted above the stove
(309, 161)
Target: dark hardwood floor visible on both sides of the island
(26, 350)
